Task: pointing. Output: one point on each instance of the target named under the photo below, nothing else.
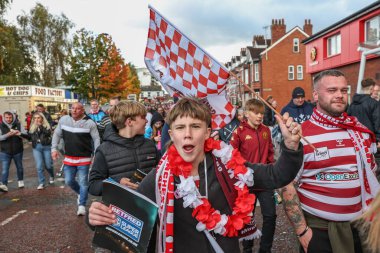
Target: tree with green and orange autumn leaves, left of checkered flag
(98, 70)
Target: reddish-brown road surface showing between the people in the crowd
(45, 220)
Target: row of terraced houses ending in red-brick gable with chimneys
(272, 67)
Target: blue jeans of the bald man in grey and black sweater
(80, 187)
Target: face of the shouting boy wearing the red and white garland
(188, 136)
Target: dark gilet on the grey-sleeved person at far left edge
(14, 144)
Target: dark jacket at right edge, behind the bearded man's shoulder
(367, 110)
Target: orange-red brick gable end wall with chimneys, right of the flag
(283, 63)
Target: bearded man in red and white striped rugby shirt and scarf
(336, 183)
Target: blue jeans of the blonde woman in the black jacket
(42, 157)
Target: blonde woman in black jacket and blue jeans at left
(41, 135)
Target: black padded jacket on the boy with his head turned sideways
(118, 157)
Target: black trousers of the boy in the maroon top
(268, 211)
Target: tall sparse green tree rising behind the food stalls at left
(47, 36)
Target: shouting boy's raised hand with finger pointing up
(290, 131)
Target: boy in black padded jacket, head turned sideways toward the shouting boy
(125, 155)
